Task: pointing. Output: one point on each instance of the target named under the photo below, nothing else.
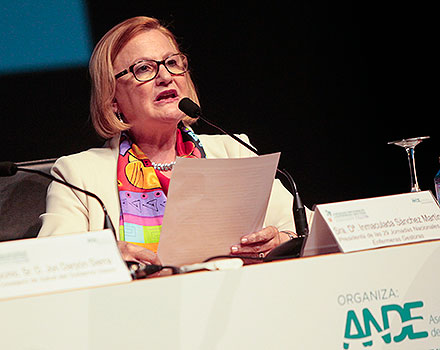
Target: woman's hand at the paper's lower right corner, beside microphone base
(259, 244)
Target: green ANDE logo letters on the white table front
(354, 331)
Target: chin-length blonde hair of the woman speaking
(105, 122)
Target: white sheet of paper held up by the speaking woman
(212, 203)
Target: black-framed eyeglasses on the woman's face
(147, 70)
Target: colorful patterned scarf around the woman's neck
(143, 190)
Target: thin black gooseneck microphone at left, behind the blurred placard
(10, 169)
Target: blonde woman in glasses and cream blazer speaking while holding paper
(139, 75)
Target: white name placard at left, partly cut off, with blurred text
(40, 265)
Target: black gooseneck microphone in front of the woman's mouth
(292, 248)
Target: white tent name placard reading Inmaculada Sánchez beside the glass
(374, 222)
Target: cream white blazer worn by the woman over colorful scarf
(70, 211)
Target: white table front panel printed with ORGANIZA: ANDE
(335, 301)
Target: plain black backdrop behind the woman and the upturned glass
(327, 84)
